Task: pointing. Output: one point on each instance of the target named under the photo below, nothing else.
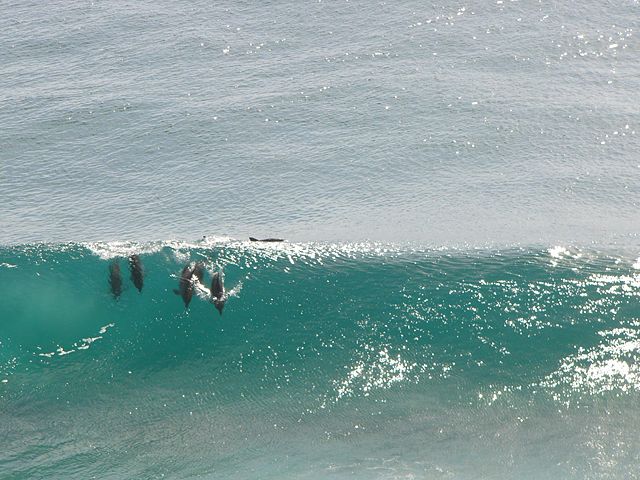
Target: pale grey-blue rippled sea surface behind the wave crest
(436, 122)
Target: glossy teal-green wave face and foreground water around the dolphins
(330, 360)
